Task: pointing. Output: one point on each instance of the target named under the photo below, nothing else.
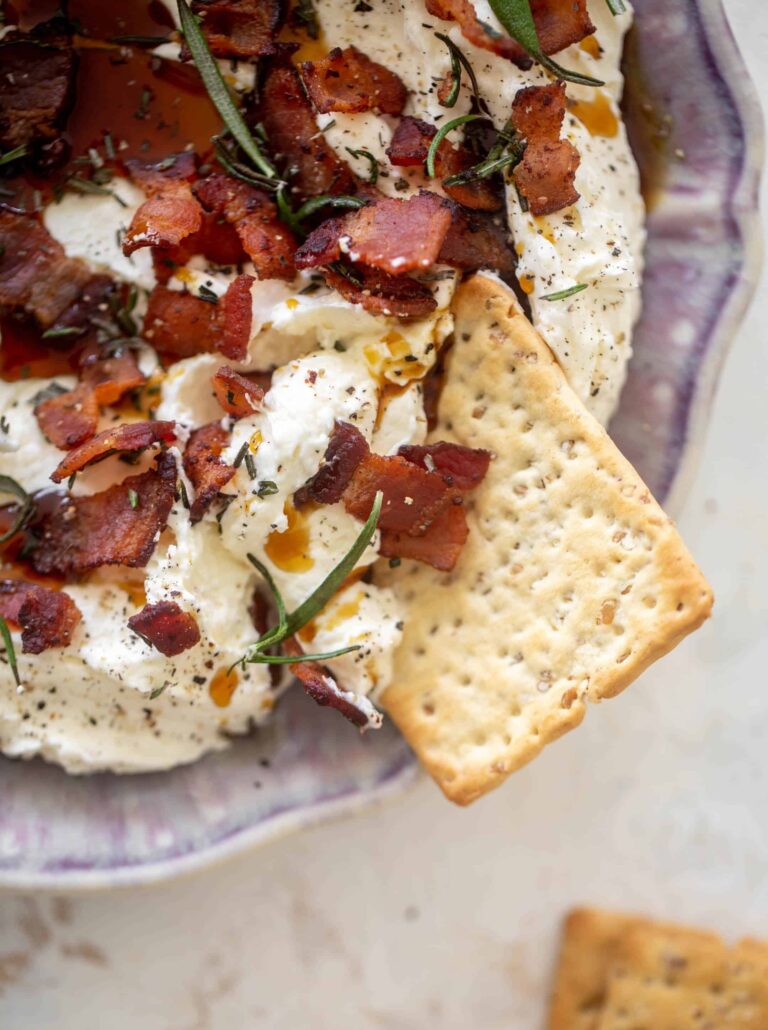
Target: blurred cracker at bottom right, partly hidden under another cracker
(588, 948)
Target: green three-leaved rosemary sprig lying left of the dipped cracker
(290, 625)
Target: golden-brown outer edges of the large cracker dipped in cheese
(476, 299)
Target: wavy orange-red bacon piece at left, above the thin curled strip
(72, 419)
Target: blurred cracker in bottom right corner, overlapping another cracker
(672, 978)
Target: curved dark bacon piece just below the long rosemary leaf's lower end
(266, 239)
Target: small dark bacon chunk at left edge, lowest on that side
(47, 619)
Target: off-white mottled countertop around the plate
(424, 916)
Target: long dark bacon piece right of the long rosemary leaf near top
(299, 149)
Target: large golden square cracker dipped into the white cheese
(573, 580)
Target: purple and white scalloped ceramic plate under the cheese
(697, 131)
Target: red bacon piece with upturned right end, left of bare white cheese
(183, 325)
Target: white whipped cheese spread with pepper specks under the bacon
(112, 702)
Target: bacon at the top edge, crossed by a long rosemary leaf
(560, 23)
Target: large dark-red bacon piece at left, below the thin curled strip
(119, 527)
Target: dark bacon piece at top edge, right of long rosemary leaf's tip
(241, 28)
